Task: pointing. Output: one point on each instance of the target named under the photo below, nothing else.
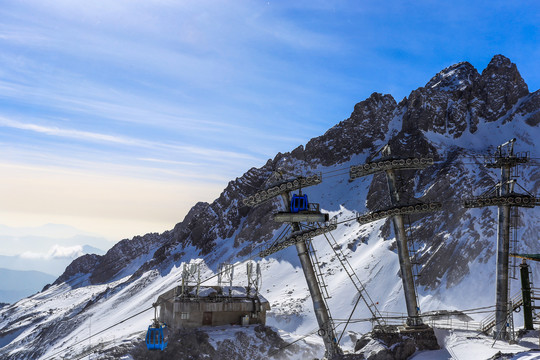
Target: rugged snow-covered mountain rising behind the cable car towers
(457, 118)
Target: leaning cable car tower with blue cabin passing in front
(299, 210)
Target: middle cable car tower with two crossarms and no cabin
(390, 164)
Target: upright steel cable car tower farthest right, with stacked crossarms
(504, 196)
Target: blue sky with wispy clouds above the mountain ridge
(116, 117)
